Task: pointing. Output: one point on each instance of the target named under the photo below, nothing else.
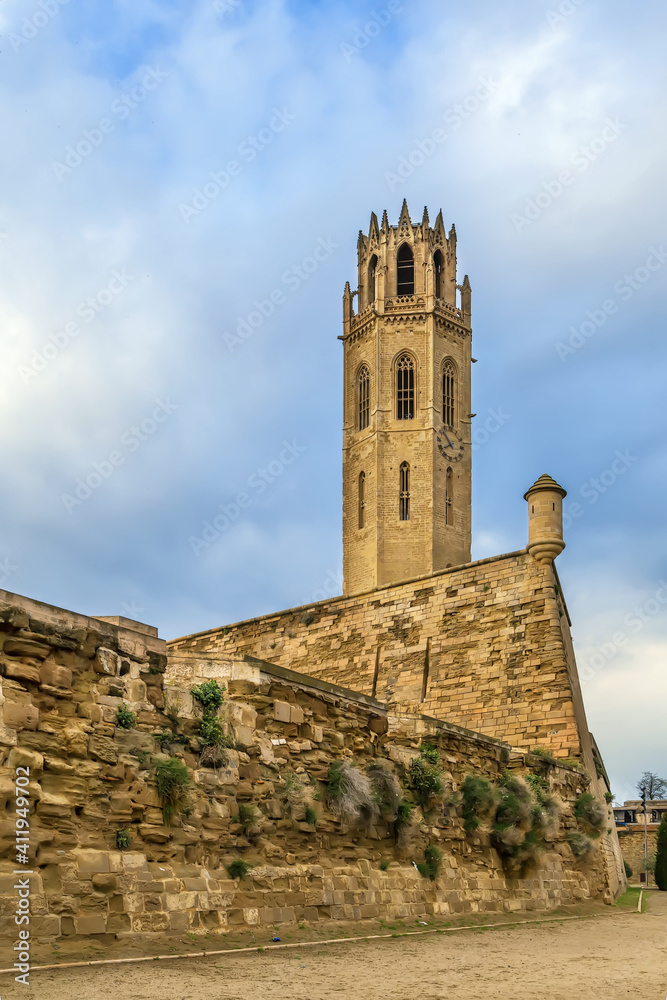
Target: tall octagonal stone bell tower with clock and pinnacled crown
(406, 429)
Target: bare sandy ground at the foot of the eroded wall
(613, 955)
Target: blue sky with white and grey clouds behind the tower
(166, 170)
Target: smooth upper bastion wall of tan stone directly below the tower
(485, 646)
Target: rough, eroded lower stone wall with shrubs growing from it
(64, 677)
